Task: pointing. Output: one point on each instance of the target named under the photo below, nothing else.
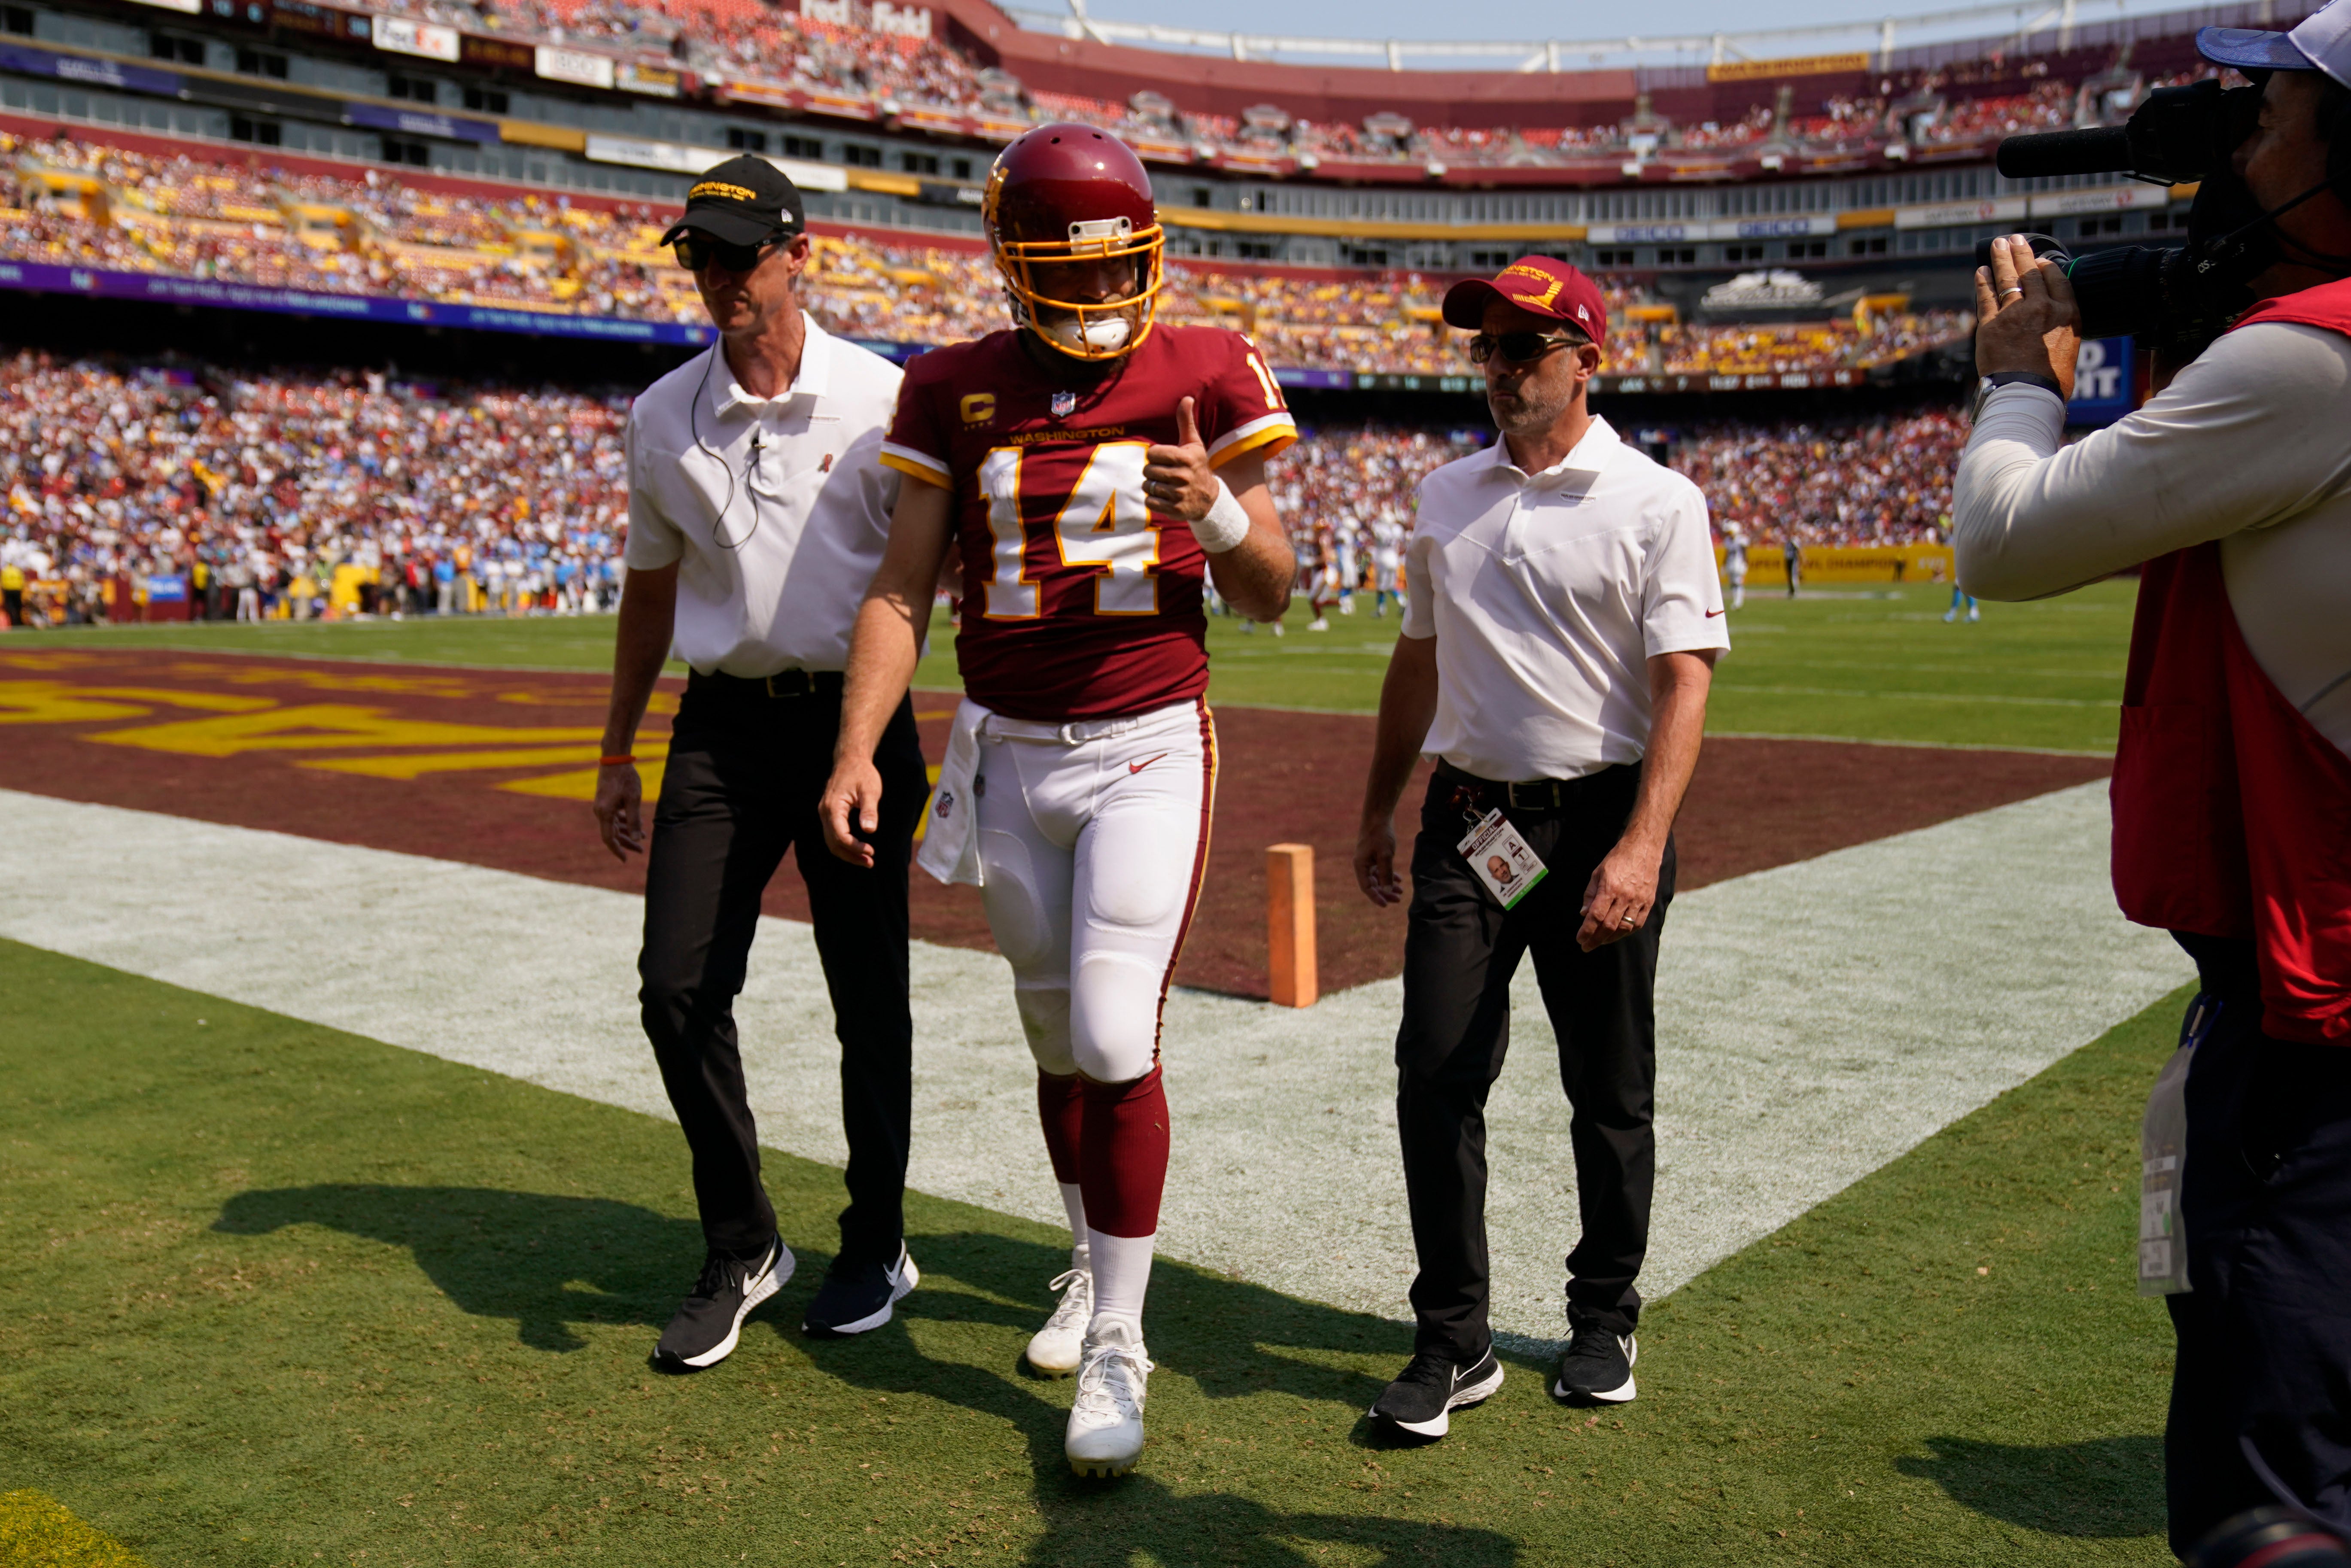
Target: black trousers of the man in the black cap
(739, 791)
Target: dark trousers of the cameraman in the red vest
(2263, 1376)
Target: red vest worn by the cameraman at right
(2232, 815)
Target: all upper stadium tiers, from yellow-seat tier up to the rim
(1776, 220)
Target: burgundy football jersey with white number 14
(1078, 601)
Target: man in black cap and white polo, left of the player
(756, 516)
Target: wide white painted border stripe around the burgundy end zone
(1818, 1021)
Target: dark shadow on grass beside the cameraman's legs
(2101, 1489)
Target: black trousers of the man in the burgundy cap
(1461, 951)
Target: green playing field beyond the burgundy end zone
(1840, 662)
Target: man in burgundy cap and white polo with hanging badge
(1558, 645)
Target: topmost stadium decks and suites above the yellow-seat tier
(909, 100)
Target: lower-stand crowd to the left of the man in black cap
(248, 495)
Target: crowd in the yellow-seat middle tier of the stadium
(86, 203)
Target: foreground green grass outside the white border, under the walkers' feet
(290, 1296)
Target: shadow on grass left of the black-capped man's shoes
(542, 1261)
